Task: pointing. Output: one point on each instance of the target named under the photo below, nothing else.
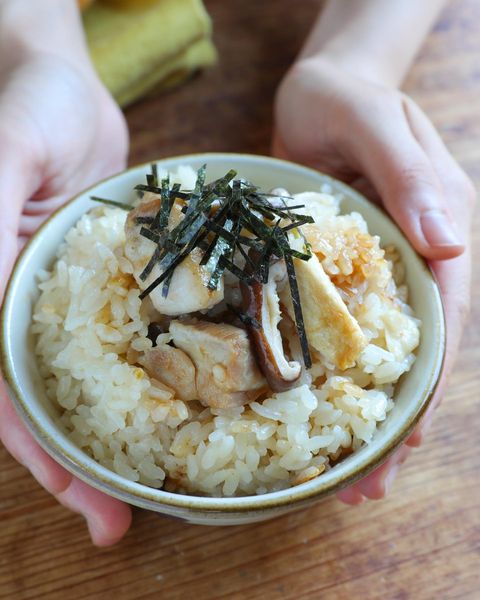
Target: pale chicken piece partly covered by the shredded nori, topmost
(188, 288)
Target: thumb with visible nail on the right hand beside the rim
(403, 174)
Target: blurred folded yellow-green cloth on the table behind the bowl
(147, 45)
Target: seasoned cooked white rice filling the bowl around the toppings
(91, 327)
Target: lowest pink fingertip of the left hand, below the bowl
(108, 519)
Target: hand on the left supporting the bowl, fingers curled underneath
(60, 131)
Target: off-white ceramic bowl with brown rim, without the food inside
(412, 395)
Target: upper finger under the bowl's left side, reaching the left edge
(26, 451)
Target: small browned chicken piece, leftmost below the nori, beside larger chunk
(174, 368)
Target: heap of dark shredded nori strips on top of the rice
(226, 219)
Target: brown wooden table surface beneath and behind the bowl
(423, 541)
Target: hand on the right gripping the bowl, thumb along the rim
(380, 142)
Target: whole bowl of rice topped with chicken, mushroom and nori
(221, 338)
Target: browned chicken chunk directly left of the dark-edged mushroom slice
(227, 375)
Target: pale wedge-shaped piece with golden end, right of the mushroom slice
(330, 328)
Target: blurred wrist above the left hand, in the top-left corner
(29, 29)
